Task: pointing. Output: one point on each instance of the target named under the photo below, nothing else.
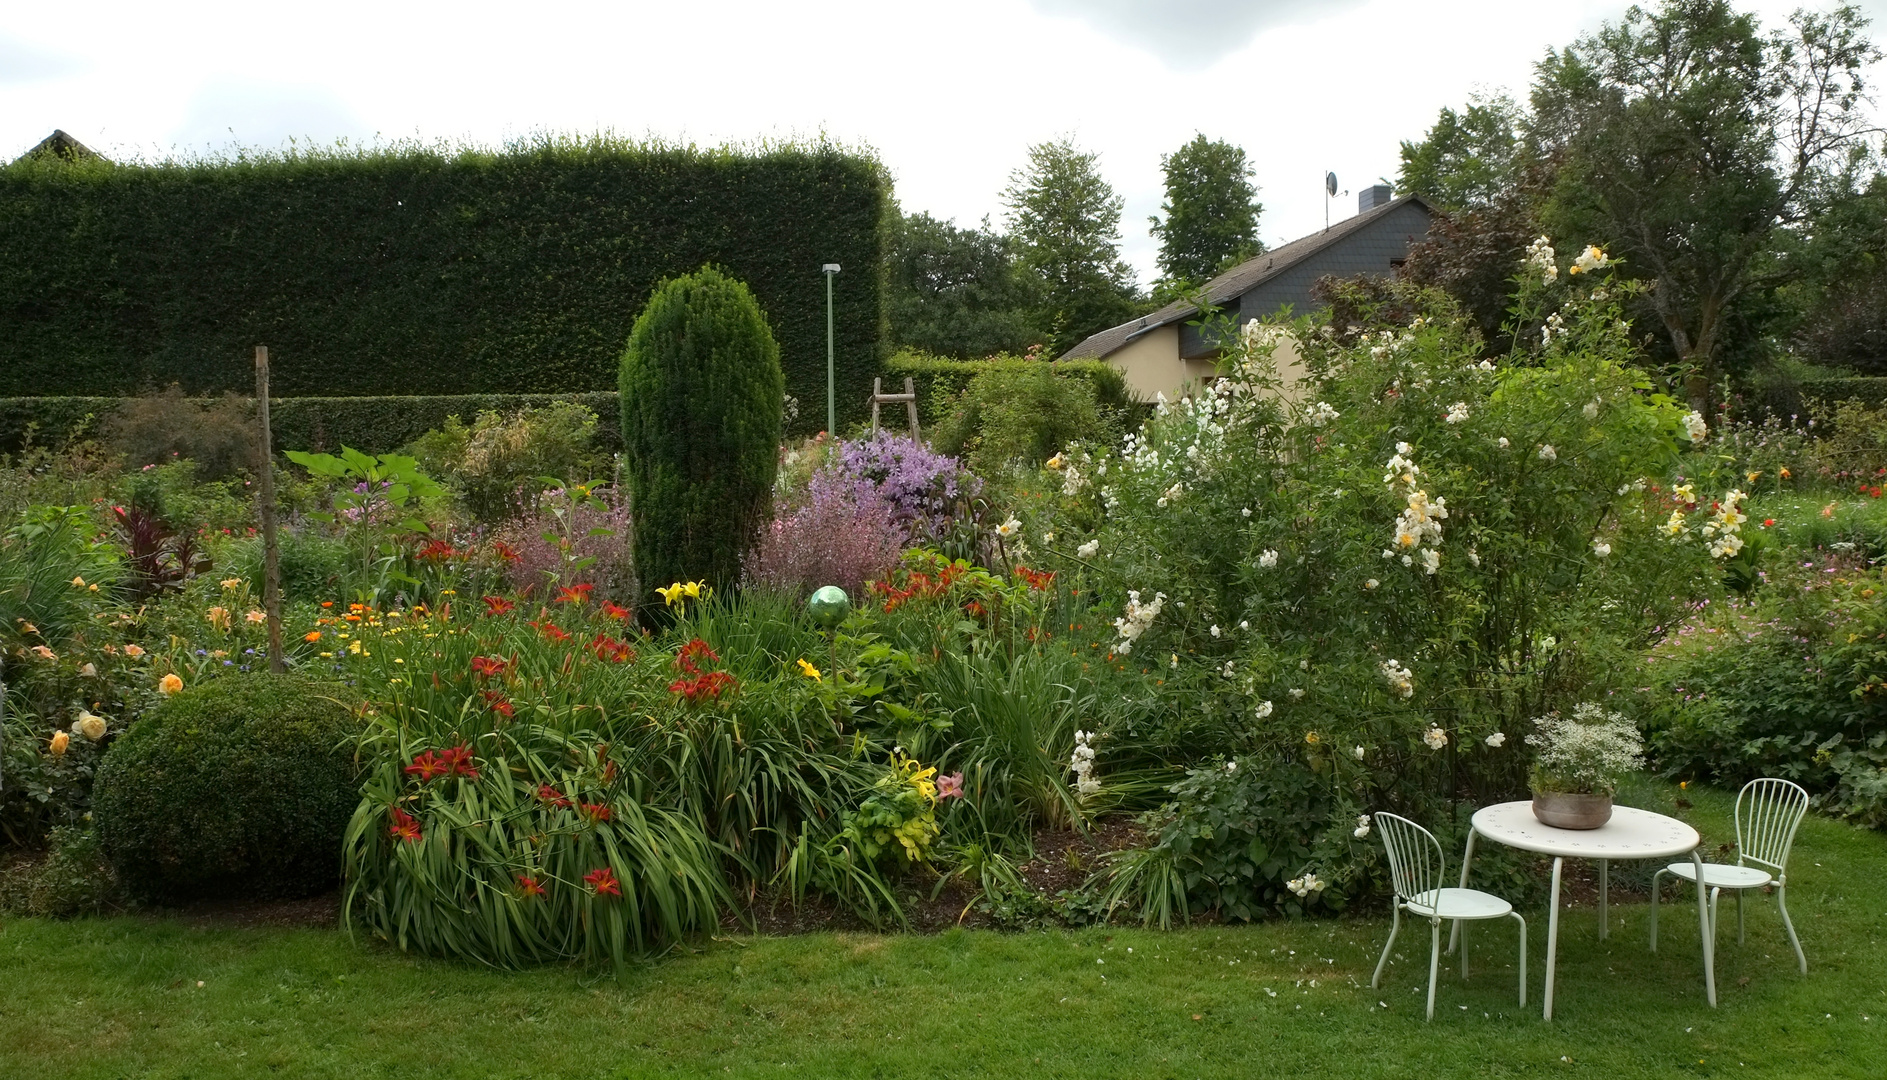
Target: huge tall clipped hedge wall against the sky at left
(424, 273)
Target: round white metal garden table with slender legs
(1629, 835)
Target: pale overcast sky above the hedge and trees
(948, 95)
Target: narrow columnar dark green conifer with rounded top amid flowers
(701, 397)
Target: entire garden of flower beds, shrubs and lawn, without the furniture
(1052, 745)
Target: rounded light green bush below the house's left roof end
(1020, 416)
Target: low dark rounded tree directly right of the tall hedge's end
(958, 292)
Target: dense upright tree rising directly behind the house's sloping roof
(1212, 212)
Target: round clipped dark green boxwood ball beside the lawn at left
(233, 788)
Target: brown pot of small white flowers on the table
(1580, 762)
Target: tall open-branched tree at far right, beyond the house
(1692, 143)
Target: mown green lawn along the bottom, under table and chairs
(122, 998)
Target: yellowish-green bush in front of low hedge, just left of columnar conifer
(497, 465)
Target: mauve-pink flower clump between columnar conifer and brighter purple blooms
(844, 535)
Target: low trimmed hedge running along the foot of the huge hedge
(369, 424)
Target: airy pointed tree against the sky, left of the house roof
(1067, 222)
